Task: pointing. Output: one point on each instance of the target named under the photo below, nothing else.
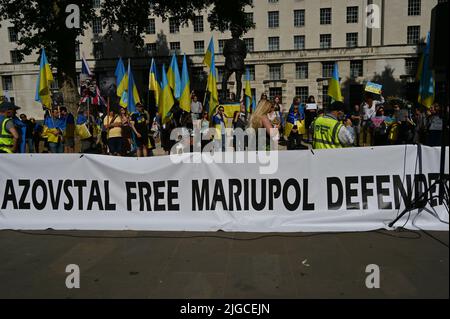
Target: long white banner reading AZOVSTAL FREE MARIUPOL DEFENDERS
(353, 189)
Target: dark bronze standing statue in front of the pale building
(235, 52)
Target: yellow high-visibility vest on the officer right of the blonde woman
(326, 133)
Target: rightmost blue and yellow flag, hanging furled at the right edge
(426, 80)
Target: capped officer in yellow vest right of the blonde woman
(328, 130)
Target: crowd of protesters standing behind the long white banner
(114, 131)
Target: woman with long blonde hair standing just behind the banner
(260, 119)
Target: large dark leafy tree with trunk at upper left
(42, 23)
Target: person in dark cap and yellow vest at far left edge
(9, 136)
